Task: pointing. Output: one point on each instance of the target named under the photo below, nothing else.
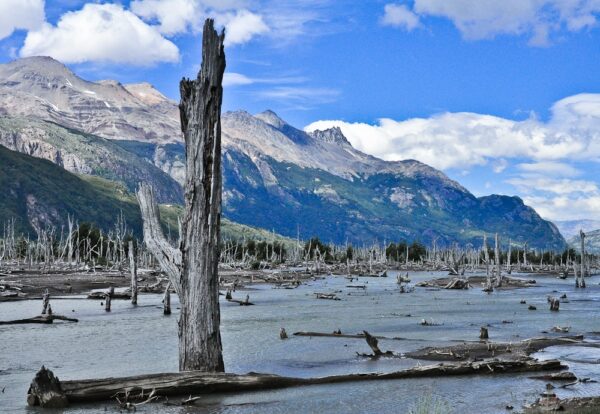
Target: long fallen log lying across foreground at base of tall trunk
(196, 382)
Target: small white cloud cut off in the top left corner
(20, 14)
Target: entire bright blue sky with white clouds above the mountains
(503, 96)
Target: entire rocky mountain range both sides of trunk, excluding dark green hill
(276, 176)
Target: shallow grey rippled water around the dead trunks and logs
(136, 340)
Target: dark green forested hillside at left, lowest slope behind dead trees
(38, 193)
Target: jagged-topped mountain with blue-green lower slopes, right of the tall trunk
(276, 176)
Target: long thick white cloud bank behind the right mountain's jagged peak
(460, 140)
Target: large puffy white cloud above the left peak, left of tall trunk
(101, 33)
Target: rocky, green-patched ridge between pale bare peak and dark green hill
(84, 153)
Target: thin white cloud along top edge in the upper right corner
(485, 19)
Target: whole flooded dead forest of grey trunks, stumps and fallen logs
(203, 270)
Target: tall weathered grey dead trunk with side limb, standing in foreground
(192, 269)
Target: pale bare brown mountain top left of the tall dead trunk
(44, 88)
